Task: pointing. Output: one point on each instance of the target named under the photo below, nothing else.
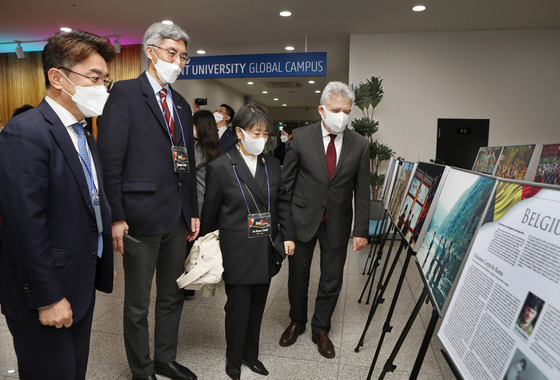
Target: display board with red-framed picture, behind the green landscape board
(420, 194)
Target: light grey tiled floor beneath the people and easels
(202, 340)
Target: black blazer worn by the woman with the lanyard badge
(245, 260)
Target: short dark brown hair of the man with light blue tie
(69, 49)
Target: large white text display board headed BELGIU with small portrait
(503, 321)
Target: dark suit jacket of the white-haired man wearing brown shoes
(307, 181)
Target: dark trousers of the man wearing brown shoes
(330, 282)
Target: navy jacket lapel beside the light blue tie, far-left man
(64, 141)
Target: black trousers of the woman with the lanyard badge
(244, 312)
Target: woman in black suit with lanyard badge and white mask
(244, 194)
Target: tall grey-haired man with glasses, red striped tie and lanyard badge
(147, 150)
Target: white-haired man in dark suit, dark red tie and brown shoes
(325, 167)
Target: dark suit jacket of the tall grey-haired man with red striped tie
(135, 150)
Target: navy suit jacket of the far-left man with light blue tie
(49, 232)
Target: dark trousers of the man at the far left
(48, 353)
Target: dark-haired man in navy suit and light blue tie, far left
(56, 222)
